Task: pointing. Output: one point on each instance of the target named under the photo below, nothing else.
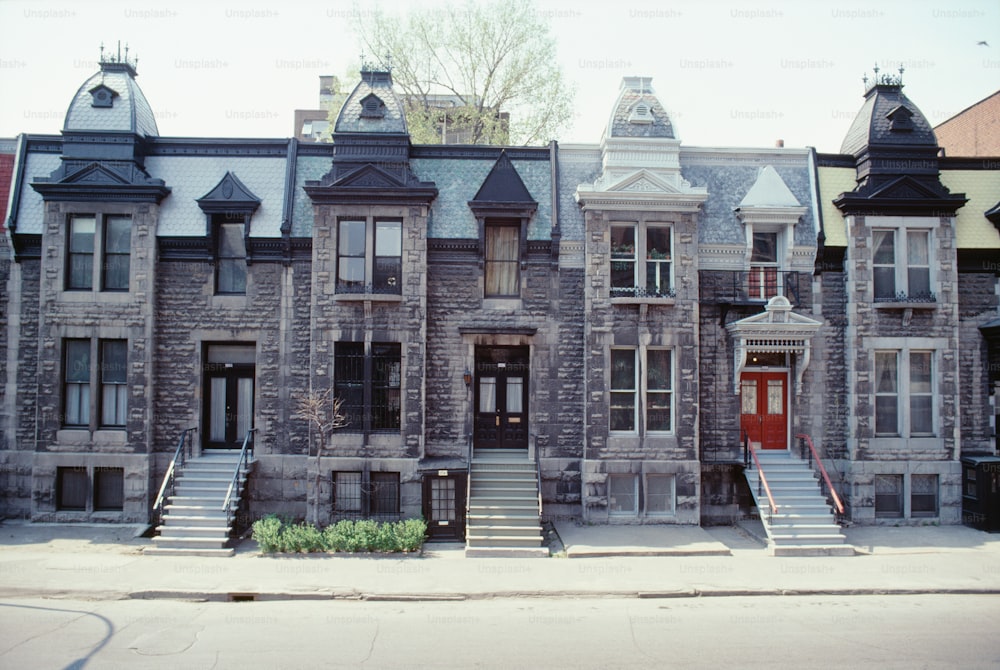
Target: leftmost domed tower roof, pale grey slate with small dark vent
(123, 108)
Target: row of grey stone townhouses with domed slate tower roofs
(630, 317)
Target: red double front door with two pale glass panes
(764, 408)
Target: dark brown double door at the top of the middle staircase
(501, 398)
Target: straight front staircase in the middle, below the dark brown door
(503, 516)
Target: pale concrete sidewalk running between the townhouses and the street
(106, 562)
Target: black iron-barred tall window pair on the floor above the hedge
(368, 378)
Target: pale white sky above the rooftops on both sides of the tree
(729, 73)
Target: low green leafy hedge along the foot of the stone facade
(276, 536)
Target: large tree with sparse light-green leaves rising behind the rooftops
(487, 69)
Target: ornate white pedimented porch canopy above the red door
(776, 330)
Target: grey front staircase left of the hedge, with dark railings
(194, 523)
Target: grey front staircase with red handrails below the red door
(804, 524)
